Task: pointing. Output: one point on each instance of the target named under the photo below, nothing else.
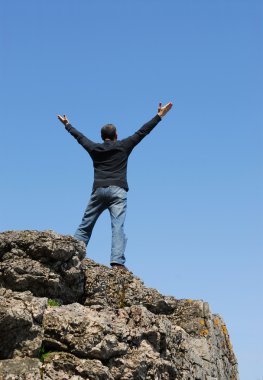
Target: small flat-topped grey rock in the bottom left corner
(20, 369)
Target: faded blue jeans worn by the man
(113, 198)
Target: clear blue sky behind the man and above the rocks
(195, 203)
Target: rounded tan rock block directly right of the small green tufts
(83, 331)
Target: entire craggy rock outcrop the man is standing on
(108, 325)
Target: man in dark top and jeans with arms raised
(110, 180)
